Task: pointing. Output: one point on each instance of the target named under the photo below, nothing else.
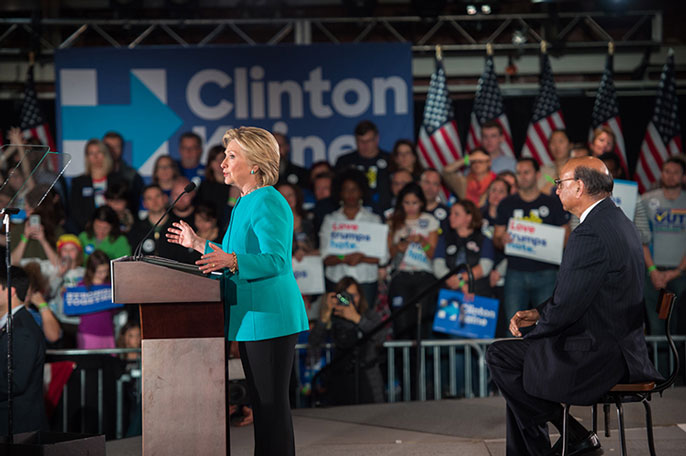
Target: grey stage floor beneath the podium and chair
(465, 426)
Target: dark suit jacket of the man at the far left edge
(29, 358)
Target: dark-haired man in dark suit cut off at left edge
(29, 357)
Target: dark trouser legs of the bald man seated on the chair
(527, 433)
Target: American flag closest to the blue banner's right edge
(438, 142)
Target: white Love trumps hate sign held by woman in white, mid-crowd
(342, 238)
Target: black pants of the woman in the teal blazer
(267, 364)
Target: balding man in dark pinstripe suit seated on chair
(589, 335)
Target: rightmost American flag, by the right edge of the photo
(663, 135)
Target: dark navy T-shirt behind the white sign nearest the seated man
(544, 209)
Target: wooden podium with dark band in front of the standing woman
(184, 354)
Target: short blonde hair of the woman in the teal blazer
(261, 149)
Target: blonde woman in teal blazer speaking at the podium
(264, 307)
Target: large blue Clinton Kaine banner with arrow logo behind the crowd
(315, 94)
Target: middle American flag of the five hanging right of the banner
(546, 118)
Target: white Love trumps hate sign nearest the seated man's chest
(537, 241)
